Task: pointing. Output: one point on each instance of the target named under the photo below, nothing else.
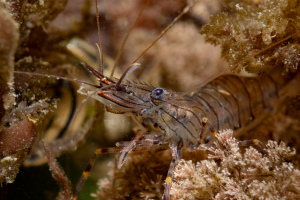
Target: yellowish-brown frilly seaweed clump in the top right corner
(259, 35)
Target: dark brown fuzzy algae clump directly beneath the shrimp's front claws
(141, 177)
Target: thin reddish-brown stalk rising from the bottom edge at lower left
(58, 174)
